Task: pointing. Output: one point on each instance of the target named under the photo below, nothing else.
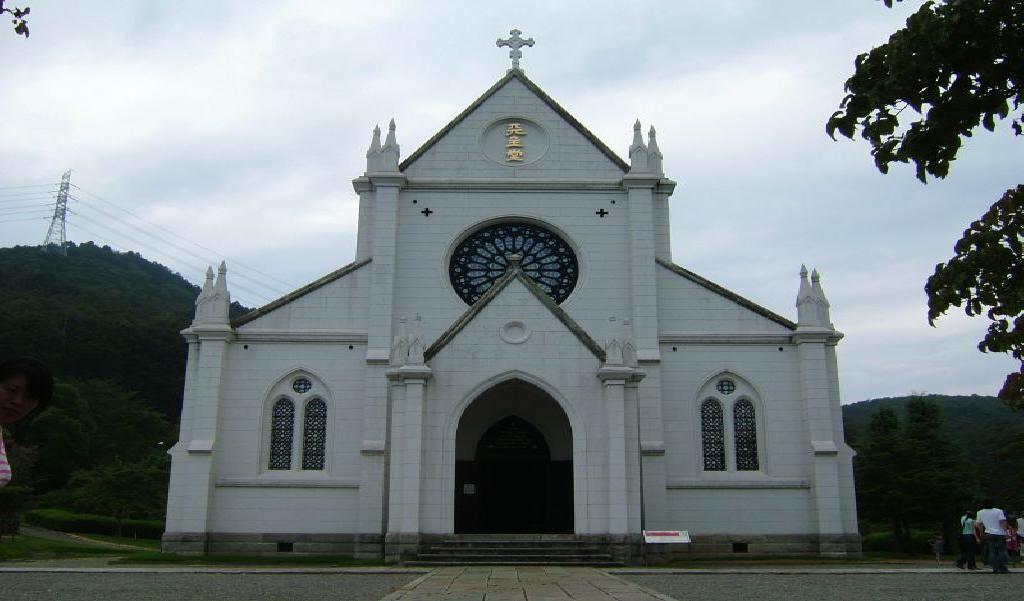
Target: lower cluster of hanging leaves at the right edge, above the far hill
(987, 273)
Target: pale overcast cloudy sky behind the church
(240, 125)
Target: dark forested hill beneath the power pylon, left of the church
(100, 314)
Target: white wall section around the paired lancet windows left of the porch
(250, 498)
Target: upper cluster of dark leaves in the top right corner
(958, 65)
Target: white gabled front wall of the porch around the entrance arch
(551, 359)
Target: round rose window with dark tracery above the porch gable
(484, 257)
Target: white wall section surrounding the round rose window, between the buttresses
(425, 245)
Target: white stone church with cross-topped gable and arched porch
(513, 352)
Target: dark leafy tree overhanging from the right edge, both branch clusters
(958, 65)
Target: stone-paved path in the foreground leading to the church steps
(523, 584)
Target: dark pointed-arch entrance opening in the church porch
(514, 471)
